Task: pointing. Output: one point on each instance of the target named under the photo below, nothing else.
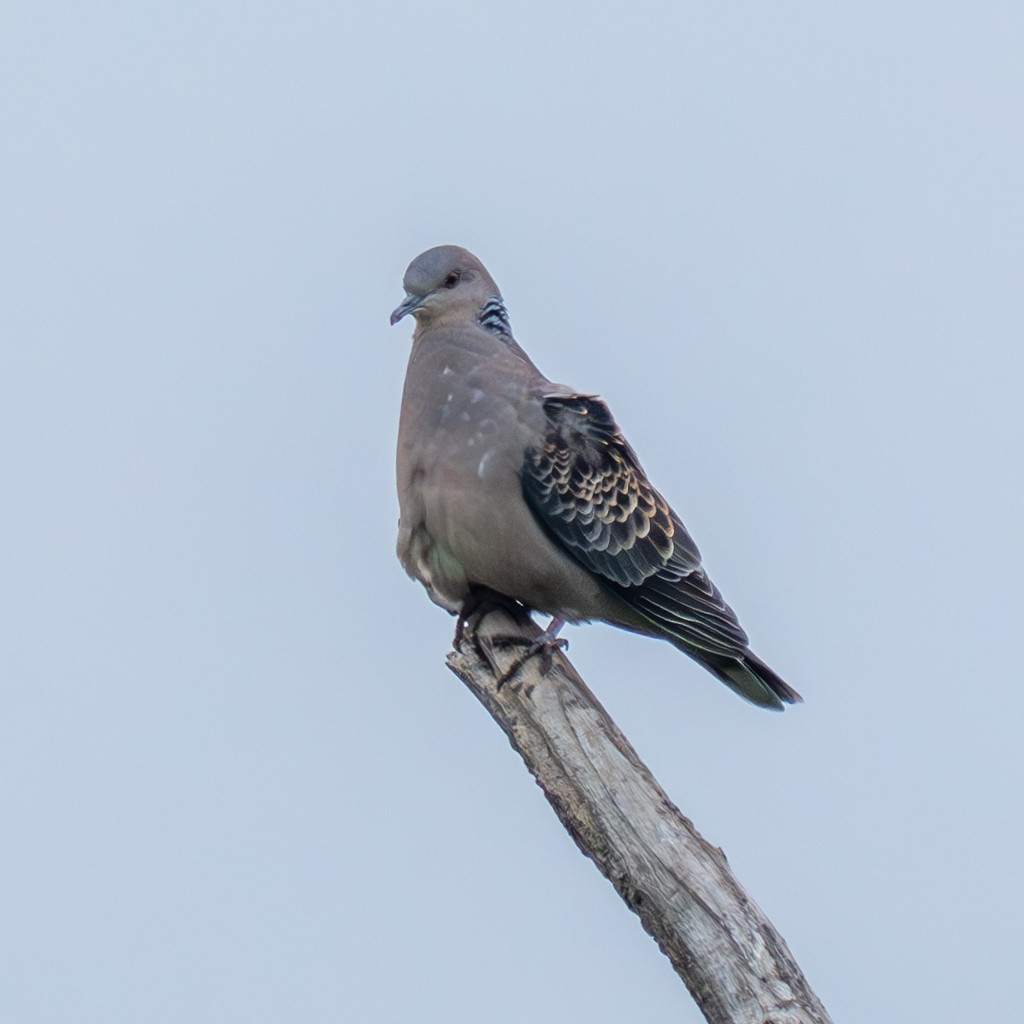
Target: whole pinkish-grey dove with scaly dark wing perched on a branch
(519, 489)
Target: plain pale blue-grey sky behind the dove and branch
(785, 241)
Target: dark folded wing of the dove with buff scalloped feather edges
(586, 487)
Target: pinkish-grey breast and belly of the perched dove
(466, 426)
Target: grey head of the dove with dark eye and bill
(446, 283)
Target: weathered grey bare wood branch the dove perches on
(735, 963)
